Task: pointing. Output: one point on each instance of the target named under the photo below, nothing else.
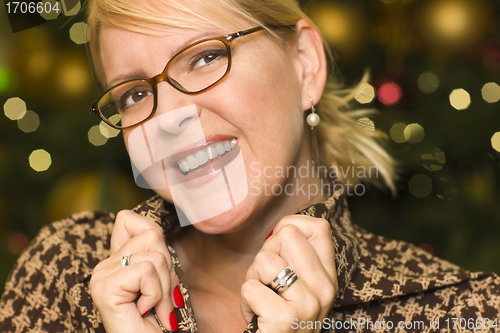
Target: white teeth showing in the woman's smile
(199, 157)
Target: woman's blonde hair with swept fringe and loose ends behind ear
(338, 142)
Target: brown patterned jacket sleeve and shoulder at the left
(47, 290)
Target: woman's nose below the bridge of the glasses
(175, 121)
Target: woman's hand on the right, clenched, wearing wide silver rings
(305, 245)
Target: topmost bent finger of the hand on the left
(128, 225)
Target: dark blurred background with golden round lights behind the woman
(435, 67)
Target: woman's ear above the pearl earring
(310, 63)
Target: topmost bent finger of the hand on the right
(318, 233)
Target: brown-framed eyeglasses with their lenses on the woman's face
(193, 70)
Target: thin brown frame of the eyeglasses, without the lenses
(163, 76)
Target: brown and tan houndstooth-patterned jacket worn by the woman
(384, 285)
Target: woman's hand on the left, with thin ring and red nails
(125, 296)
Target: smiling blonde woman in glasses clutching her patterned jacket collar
(270, 249)
